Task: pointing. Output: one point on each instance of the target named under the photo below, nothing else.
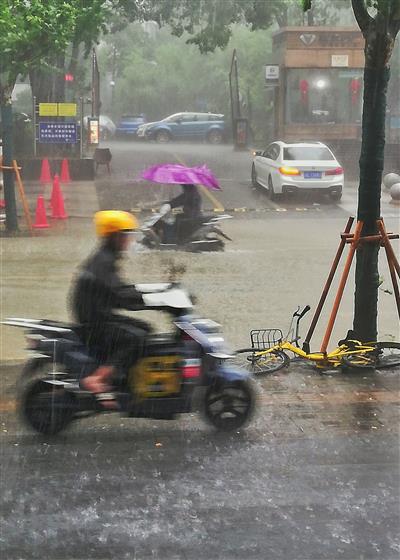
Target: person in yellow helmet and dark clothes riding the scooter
(97, 294)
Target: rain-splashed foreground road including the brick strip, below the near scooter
(314, 476)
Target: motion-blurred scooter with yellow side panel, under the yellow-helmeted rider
(178, 372)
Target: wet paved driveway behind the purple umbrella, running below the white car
(232, 168)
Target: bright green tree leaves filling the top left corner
(34, 34)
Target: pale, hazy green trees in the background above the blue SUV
(164, 75)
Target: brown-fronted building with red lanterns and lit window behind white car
(320, 88)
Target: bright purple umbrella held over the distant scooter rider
(177, 174)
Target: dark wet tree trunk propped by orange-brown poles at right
(379, 33)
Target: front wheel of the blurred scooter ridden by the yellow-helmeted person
(230, 405)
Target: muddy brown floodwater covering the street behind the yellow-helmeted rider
(273, 264)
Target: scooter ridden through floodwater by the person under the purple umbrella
(206, 235)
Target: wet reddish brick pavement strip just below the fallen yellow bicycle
(296, 402)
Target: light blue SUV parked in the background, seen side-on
(181, 126)
